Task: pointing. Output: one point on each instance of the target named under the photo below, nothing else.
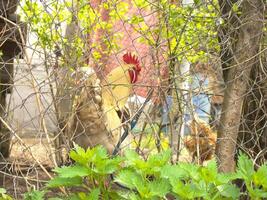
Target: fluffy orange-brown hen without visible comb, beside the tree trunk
(202, 140)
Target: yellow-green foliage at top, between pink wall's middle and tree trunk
(183, 27)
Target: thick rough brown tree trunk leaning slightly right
(245, 50)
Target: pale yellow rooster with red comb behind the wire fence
(98, 109)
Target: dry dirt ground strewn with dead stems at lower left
(29, 166)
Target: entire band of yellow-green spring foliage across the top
(189, 31)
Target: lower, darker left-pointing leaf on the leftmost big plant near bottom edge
(59, 182)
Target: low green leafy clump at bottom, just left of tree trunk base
(191, 181)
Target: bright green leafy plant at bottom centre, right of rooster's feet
(143, 177)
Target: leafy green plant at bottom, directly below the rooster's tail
(89, 174)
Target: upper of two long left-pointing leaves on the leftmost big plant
(73, 171)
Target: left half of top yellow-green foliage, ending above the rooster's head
(48, 20)
